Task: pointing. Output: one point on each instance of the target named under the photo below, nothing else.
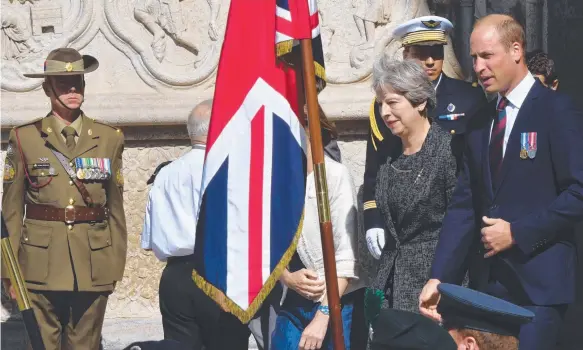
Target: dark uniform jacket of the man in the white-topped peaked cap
(456, 95)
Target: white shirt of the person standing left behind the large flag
(173, 205)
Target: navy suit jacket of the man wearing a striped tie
(542, 198)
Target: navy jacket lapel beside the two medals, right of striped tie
(512, 153)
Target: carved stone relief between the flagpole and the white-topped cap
(366, 33)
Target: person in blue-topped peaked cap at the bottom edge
(479, 321)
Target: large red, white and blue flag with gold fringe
(255, 168)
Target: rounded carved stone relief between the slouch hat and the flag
(176, 41)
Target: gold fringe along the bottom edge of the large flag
(229, 305)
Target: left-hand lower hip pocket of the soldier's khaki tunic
(34, 254)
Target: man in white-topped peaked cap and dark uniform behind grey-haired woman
(423, 39)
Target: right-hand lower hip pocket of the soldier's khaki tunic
(102, 257)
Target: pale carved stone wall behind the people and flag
(157, 60)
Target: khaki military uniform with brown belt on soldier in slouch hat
(70, 258)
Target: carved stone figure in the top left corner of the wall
(17, 40)
